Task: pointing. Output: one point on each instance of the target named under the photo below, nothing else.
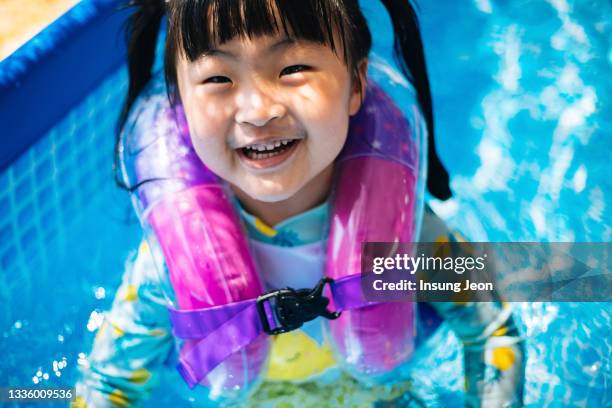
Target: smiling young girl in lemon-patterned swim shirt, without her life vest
(251, 72)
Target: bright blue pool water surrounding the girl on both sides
(522, 103)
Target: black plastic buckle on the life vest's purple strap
(292, 308)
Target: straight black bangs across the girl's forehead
(198, 26)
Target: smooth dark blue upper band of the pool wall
(53, 72)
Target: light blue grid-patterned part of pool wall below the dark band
(43, 190)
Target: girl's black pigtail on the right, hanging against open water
(409, 54)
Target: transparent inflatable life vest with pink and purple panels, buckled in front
(222, 318)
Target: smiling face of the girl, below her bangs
(269, 114)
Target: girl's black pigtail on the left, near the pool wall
(141, 31)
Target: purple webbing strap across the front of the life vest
(225, 330)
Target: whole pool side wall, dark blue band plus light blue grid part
(58, 110)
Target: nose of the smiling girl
(258, 107)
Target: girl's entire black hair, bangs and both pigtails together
(189, 34)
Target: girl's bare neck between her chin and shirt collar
(314, 193)
